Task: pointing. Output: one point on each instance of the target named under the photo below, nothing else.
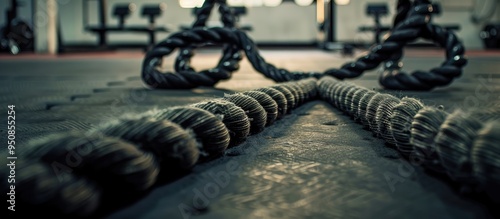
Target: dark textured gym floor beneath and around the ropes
(314, 163)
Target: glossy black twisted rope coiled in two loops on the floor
(410, 24)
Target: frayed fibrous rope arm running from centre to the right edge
(460, 145)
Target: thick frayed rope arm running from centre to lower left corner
(72, 173)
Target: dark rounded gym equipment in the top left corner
(16, 35)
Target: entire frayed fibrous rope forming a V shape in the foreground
(72, 172)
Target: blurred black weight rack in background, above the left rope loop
(122, 11)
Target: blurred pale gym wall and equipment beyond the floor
(64, 26)
